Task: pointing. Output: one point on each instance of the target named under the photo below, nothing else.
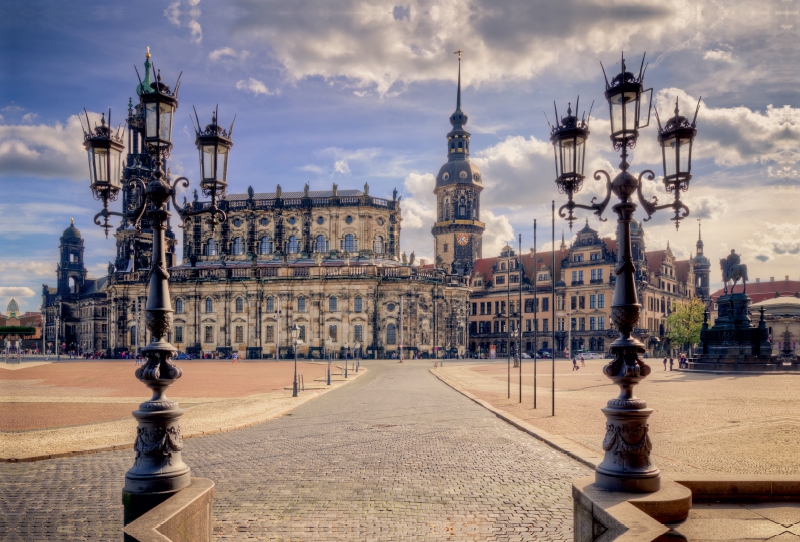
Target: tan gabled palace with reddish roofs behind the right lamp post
(584, 291)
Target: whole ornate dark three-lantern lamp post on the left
(158, 470)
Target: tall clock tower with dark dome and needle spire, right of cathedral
(458, 231)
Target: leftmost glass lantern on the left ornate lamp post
(104, 150)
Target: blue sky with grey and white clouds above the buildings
(355, 91)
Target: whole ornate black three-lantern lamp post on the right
(626, 465)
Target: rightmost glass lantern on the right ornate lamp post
(676, 139)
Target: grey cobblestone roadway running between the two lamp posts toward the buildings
(395, 455)
